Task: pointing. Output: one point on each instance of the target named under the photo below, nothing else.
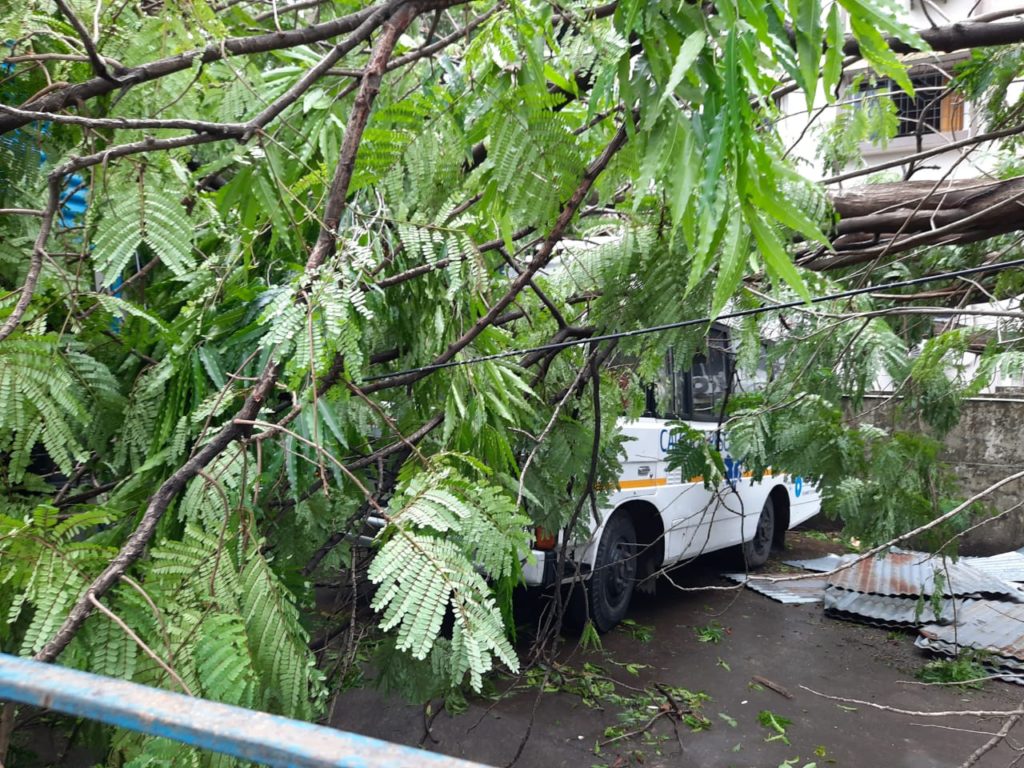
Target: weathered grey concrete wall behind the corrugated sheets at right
(985, 448)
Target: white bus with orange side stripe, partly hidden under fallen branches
(657, 519)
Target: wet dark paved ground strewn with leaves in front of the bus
(791, 647)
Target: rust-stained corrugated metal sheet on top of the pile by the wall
(913, 574)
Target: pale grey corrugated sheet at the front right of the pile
(986, 625)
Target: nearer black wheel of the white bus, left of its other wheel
(612, 583)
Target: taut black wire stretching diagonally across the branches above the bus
(701, 321)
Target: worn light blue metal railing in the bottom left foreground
(233, 731)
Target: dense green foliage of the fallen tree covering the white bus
(160, 308)
